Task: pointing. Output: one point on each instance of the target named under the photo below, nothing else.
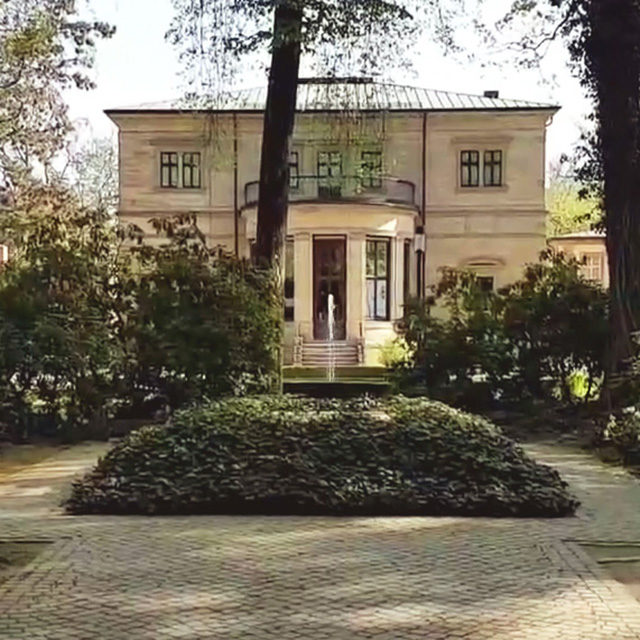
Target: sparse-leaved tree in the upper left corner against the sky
(44, 48)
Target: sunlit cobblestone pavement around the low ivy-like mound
(112, 578)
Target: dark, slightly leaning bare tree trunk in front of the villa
(279, 120)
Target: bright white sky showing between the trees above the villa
(137, 66)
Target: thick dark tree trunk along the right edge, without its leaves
(613, 55)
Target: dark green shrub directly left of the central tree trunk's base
(198, 322)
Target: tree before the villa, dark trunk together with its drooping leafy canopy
(213, 35)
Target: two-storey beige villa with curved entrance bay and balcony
(389, 184)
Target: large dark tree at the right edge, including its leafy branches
(603, 41)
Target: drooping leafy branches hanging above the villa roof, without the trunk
(215, 37)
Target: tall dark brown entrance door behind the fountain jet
(329, 276)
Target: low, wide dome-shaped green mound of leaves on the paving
(285, 455)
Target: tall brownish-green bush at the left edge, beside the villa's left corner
(57, 358)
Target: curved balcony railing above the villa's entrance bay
(342, 188)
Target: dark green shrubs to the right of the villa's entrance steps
(528, 340)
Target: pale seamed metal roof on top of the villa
(346, 94)
